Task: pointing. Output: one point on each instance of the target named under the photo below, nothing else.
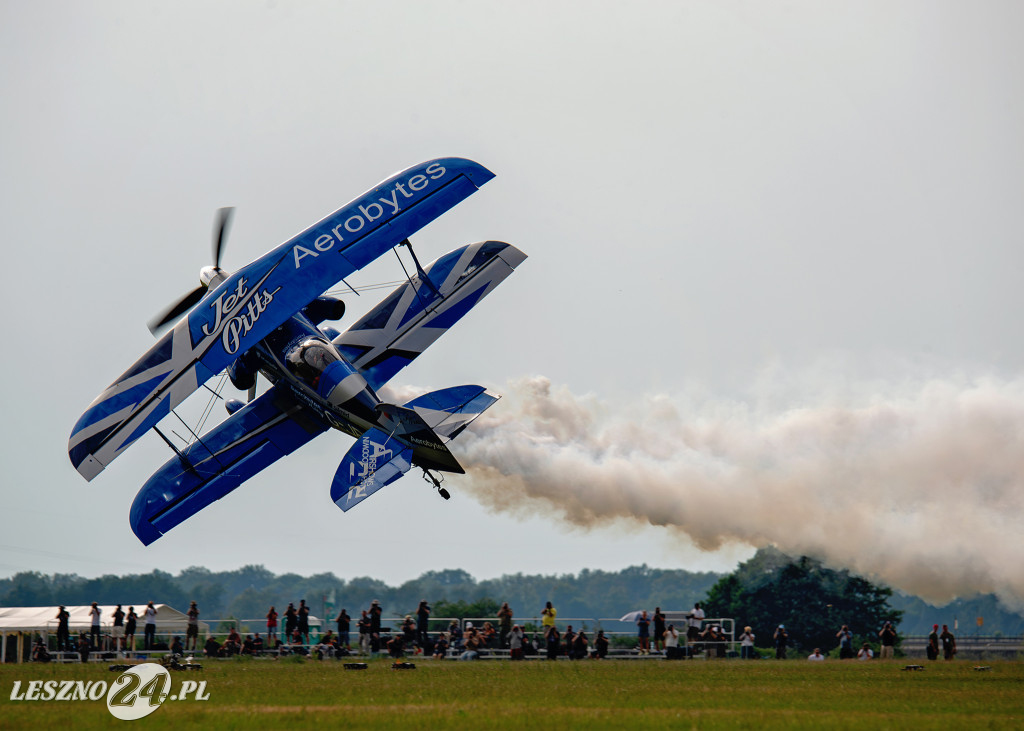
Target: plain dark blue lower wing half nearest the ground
(248, 442)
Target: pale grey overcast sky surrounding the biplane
(777, 205)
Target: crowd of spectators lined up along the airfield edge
(696, 636)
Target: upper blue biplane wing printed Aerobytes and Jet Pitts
(250, 304)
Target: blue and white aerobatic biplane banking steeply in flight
(268, 319)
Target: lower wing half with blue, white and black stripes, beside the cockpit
(416, 315)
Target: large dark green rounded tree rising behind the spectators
(813, 601)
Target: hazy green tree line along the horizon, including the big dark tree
(767, 590)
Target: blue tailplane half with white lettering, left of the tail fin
(374, 461)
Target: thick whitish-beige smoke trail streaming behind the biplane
(924, 493)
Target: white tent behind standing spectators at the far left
(27, 621)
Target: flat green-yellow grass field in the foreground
(539, 695)
